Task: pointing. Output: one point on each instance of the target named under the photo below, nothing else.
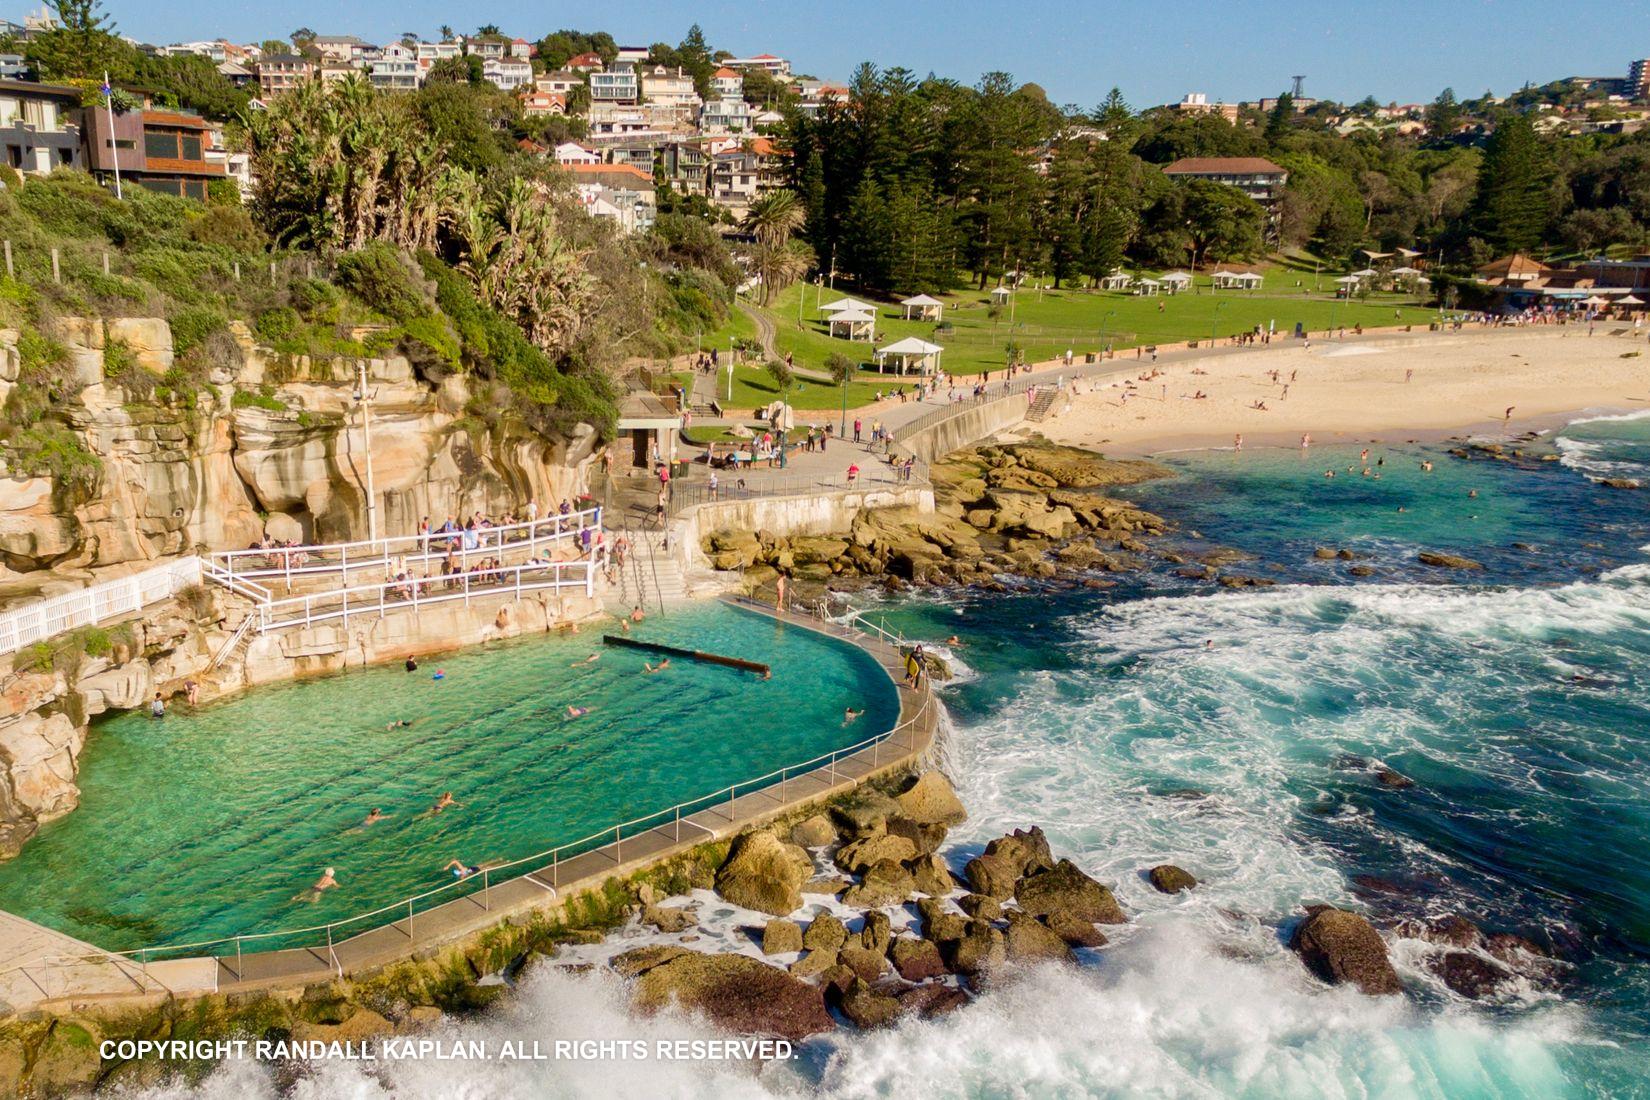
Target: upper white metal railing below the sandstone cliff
(285, 563)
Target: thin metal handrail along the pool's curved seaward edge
(557, 853)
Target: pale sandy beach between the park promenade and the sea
(1347, 392)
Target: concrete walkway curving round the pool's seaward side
(47, 971)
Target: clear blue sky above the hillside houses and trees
(1405, 50)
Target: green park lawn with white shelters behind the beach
(1044, 324)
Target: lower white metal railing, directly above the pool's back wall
(413, 593)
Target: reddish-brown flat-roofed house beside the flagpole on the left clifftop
(164, 151)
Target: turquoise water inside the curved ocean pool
(209, 824)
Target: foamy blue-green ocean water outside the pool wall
(1237, 733)
